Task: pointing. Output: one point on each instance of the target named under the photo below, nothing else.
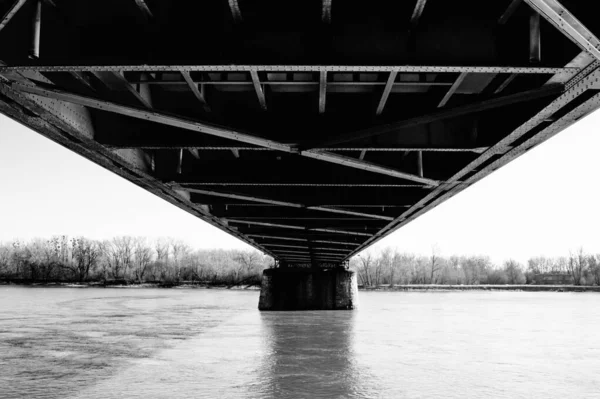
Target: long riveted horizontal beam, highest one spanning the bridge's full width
(290, 68)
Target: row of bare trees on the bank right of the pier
(390, 267)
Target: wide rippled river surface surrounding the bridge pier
(195, 343)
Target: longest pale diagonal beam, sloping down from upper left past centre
(215, 130)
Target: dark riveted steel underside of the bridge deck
(308, 129)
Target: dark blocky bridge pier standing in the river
(308, 289)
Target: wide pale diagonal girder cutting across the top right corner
(564, 21)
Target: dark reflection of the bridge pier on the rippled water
(310, 354)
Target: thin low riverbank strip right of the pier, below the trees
(520, 287)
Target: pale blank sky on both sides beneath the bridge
(543, 203)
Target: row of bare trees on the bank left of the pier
(125, 260)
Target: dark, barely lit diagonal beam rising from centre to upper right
(441, 114)
